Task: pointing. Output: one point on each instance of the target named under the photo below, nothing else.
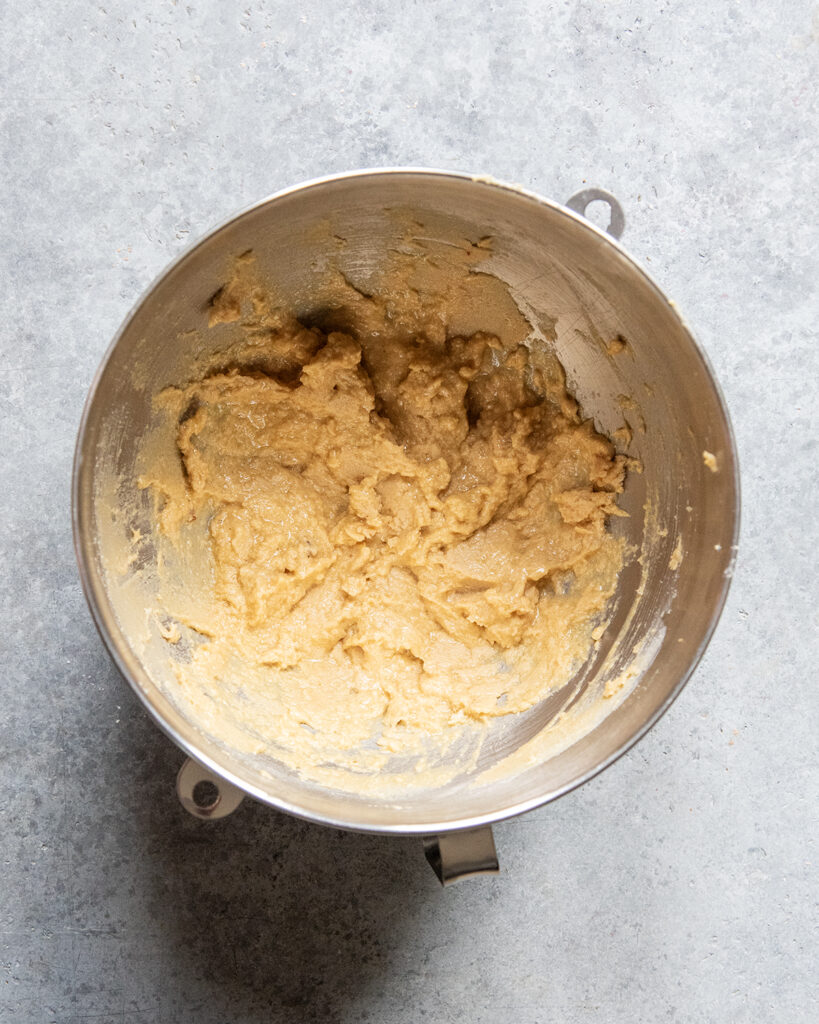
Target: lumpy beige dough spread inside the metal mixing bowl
(404, 530)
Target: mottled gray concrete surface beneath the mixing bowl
(681, 884)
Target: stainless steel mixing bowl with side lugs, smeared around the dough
(583, 291)
